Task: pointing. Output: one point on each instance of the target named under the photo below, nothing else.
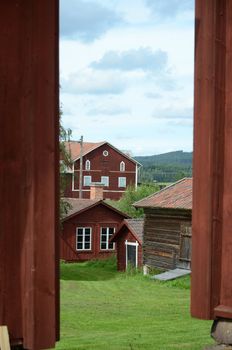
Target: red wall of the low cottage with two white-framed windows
(96, 217)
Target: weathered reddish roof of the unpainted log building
(175, 196)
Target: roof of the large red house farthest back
(74, 148)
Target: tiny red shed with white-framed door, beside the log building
(129, 240)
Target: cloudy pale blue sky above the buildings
(126, 73)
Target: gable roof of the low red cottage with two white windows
(78, 206)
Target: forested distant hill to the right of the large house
(166, 167)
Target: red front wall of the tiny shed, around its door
(125, 234)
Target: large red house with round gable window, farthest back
(101, 163)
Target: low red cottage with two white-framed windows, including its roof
(87, 230)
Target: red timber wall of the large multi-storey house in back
(104, 166)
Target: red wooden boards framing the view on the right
(211, 294)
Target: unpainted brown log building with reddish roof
(167, 226)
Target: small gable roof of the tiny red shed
(135, 226)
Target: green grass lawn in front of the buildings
(102, 309)
